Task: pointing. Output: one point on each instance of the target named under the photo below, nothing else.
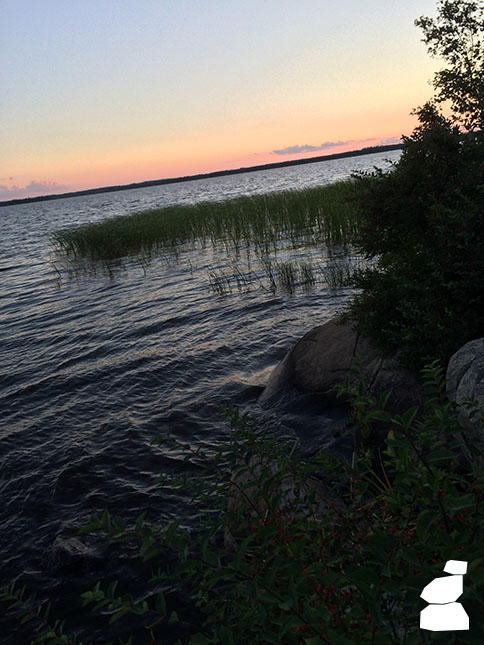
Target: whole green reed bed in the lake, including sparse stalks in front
(312, 229)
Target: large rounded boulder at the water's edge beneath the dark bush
(323, 359)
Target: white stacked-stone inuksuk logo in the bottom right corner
(444, 614)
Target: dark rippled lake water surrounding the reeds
(92, 368)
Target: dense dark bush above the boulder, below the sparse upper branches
(423, 226)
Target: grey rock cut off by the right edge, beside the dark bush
(465, 380)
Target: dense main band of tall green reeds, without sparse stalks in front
(310, 217)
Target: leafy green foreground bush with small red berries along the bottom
(344, 561)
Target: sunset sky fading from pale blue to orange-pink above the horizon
(107, 92)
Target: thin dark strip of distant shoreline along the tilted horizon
(217, 173)
